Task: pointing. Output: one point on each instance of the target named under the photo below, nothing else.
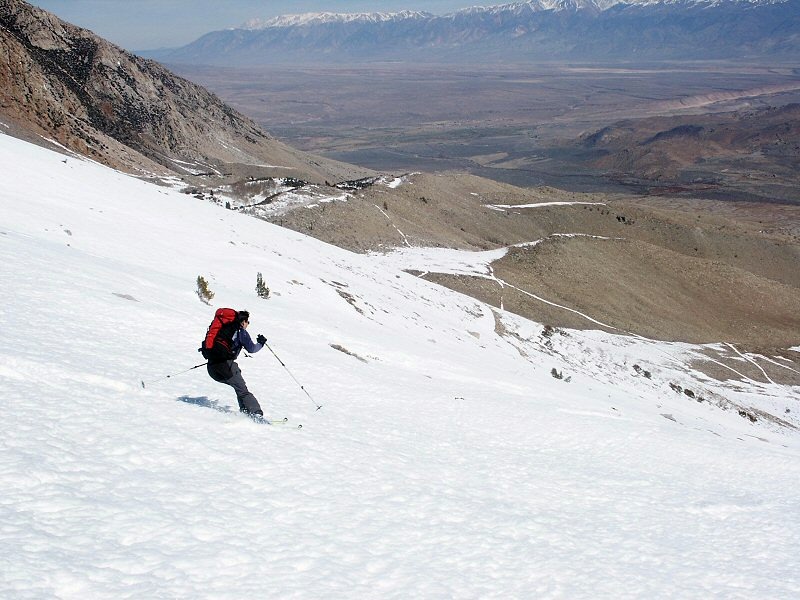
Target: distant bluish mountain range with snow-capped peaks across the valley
(538, 30)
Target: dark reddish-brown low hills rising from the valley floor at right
(753, 153)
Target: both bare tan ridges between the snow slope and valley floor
(696, 272)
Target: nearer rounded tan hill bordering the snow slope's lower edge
(650, 290)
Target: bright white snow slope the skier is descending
(446, 462)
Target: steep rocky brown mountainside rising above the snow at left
(63, 83)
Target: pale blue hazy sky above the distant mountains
(150, 24)
